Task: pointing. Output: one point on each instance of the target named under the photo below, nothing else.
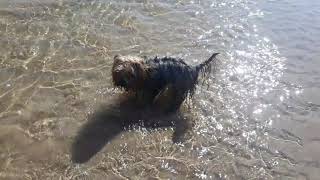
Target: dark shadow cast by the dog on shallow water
(110, 121)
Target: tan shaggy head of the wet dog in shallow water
(128, 72)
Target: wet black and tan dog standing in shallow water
(161, 82)
